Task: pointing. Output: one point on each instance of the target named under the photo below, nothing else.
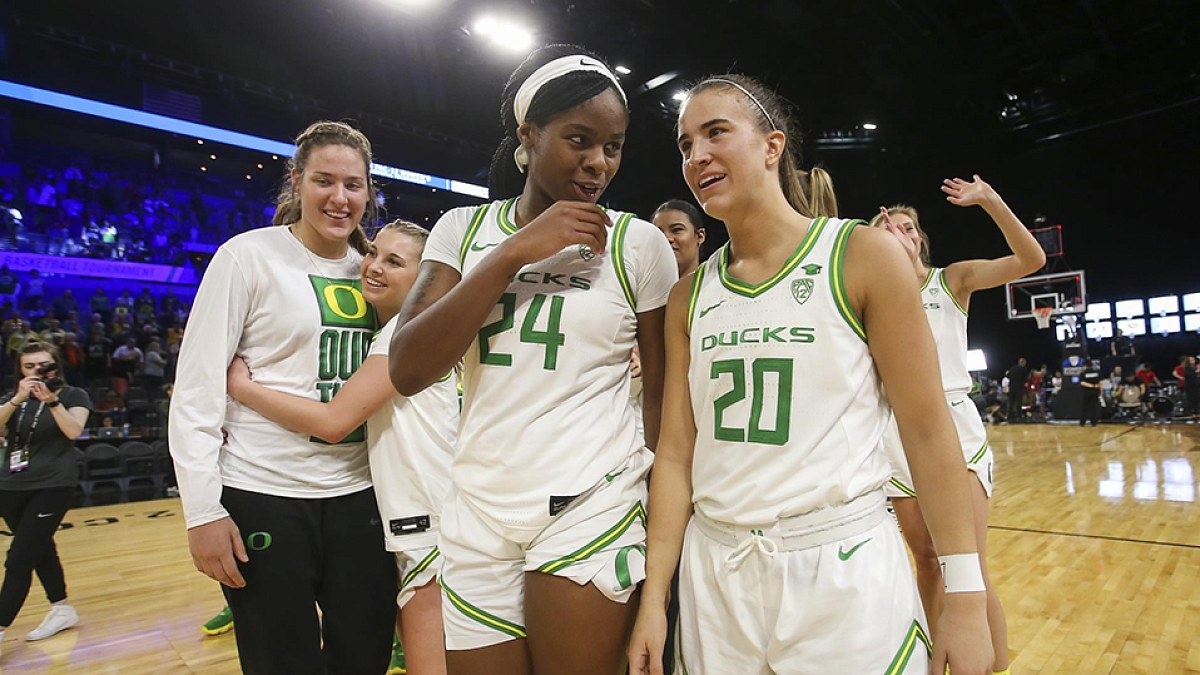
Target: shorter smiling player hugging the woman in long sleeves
(410, 443)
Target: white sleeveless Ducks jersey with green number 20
(789, 407)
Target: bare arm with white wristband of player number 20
(884, 291)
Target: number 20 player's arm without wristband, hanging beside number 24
(670, 492)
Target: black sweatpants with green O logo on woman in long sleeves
(309, 553)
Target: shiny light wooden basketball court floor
(1095, 547)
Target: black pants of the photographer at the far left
(33, 517)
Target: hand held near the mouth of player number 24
(562, 225)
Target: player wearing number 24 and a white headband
(543, 296)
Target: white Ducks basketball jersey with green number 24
(547, 409)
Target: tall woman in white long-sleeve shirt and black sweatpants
(286, 522)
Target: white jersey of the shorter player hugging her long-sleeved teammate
(411, 444)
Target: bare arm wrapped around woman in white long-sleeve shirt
(362, 396)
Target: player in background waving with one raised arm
(946, 294)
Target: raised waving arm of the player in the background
(1028, 258)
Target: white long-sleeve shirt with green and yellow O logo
(302, 325)
